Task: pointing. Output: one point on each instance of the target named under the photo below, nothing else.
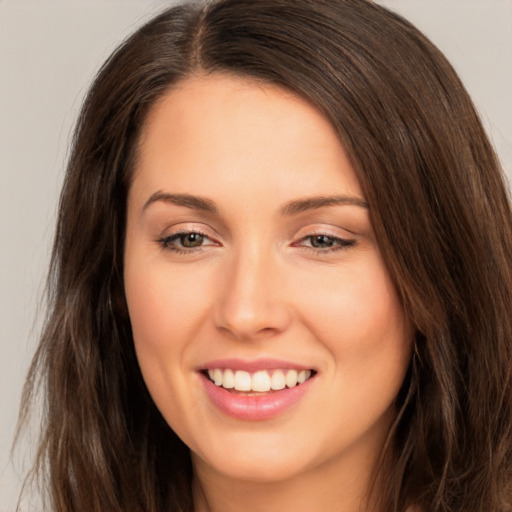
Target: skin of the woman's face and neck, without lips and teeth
(266, 275)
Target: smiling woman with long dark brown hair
(281, 274)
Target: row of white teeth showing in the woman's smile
(261, 381)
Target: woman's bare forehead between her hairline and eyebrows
(223, 129)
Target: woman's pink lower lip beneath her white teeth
(255, 407)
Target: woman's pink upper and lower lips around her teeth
(253, 407)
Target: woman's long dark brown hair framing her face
(439, 209)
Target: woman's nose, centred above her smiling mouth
(253, 302)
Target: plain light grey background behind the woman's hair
(49, 52)
